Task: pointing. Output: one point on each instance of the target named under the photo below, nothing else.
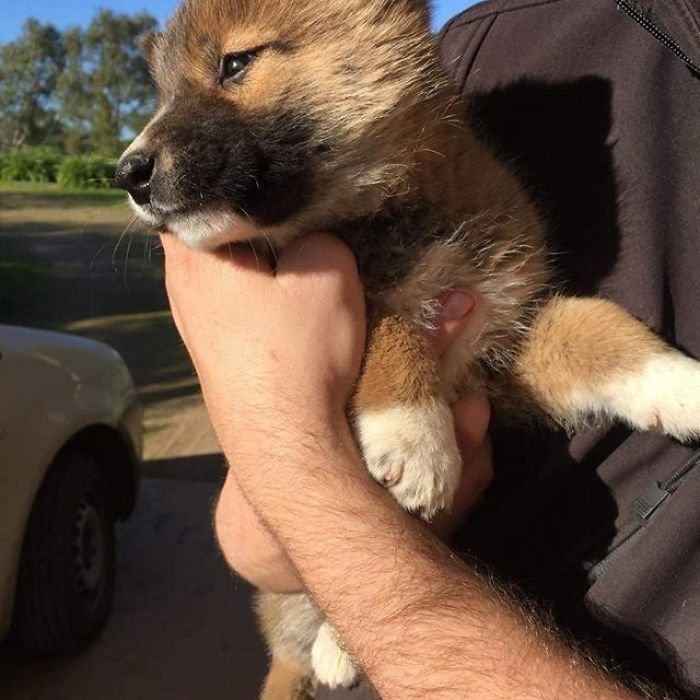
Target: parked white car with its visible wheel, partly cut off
(70, 447)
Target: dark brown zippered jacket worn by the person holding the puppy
(596, 103)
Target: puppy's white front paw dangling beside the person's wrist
(412, 450)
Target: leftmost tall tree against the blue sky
(29, 69)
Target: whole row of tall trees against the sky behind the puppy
(82, 90)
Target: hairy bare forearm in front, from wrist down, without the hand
(429, 626)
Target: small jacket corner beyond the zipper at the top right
(676, 23)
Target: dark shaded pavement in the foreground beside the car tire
(181, 628)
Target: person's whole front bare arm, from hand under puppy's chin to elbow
(278, 357)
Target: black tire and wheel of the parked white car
(66, 577)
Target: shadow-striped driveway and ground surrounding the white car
(181, 627)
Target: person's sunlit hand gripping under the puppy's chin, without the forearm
(278, 353)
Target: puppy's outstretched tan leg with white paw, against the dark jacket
(588, 358)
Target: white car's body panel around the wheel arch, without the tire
(52, 386)
